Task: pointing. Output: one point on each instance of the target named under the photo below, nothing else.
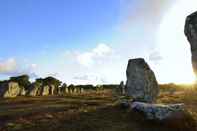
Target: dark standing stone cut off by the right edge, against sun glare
(191, 34)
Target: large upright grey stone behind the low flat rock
(141, 82)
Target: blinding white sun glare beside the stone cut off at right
(174, 46)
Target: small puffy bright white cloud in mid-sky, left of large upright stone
(95, 55)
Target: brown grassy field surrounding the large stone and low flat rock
(92, 112)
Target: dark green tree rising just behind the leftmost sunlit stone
(22, 80)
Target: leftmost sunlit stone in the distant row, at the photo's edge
(10, 90)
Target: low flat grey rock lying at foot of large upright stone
(158, 111)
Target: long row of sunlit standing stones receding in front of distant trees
(11, 89)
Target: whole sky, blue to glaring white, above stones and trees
(91, 41)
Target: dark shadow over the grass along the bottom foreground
(109, 118)
